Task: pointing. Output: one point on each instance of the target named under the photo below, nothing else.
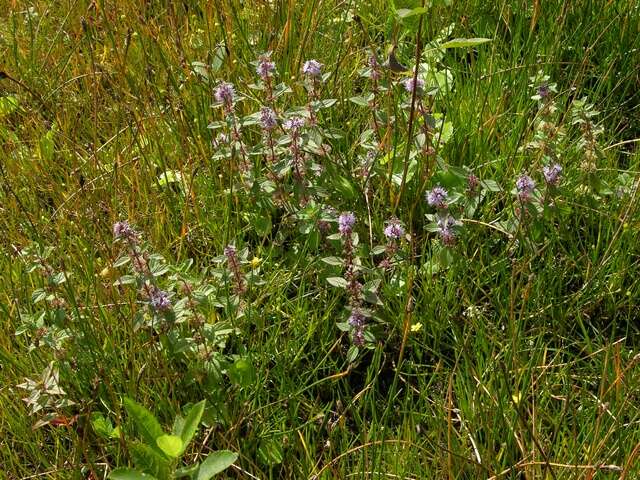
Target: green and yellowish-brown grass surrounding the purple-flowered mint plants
(526, 365)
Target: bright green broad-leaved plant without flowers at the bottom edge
(157, 455)
